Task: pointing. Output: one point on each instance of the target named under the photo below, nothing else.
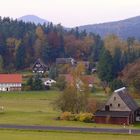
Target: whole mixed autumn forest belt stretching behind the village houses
(22, 43)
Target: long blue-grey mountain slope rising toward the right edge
(123, 28)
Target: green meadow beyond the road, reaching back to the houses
(36, 108)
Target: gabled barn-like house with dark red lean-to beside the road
(119, 109)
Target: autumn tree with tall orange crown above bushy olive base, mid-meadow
(75, 96)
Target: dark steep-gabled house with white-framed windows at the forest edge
(39, 67)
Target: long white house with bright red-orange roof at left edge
(10, 82)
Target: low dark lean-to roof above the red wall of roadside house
(112, 113)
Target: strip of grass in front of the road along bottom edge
(35, 135)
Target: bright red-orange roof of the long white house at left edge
(10, 78)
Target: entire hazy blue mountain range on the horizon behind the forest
(124, 28)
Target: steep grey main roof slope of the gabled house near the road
(128, 100)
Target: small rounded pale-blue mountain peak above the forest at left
(33, 19)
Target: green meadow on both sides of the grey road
(36, 108)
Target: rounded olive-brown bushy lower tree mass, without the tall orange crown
(72, 101)
